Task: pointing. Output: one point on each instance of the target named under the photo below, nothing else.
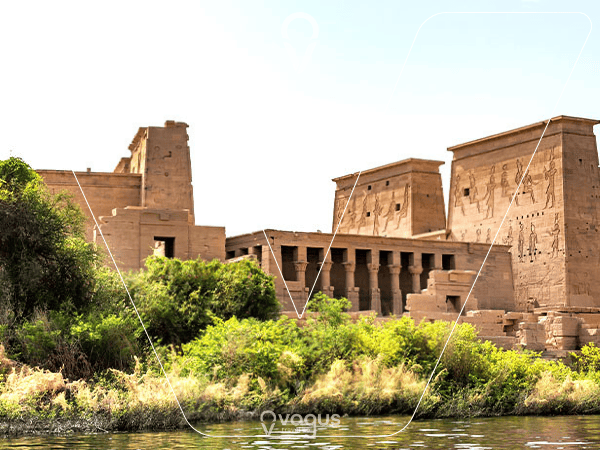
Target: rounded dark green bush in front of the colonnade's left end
(177, 299)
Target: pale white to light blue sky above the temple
(282, 96)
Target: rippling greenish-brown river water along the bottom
(562, 432)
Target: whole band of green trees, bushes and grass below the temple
(74, 349)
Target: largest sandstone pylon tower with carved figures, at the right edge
(556, 200)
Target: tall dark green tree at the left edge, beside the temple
(45, 262)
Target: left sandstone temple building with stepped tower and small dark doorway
(146, 206)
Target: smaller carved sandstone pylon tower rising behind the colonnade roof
(397, 200)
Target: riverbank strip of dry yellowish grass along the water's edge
(34, 401)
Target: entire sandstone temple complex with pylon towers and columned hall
(395, 251)
